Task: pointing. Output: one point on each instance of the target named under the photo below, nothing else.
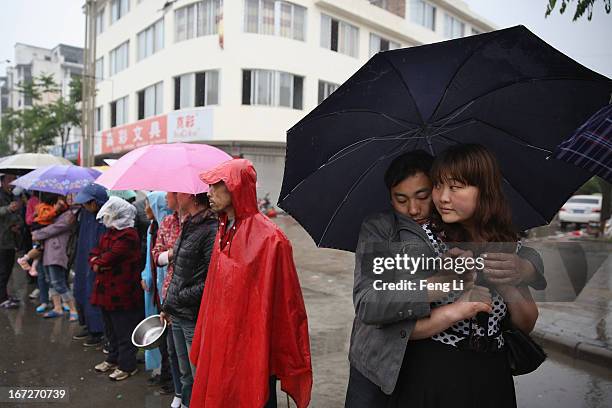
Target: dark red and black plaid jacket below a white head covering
(117, 282)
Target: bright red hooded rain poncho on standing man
(252, 321)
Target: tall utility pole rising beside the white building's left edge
(89, 85)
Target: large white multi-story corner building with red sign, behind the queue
(238, 73)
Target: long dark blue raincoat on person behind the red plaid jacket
(90, 232)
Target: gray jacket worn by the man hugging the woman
(385, 319)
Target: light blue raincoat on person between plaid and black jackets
(157, 202)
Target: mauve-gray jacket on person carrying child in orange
(55, 237)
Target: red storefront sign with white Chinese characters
(144, 132)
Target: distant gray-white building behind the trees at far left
(63, 62)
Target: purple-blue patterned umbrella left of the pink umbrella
(58, 179)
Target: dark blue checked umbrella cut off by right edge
(590, 147)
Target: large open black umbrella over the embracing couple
(508, 90)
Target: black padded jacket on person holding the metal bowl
(191, 258)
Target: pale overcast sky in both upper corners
(47, 23)
